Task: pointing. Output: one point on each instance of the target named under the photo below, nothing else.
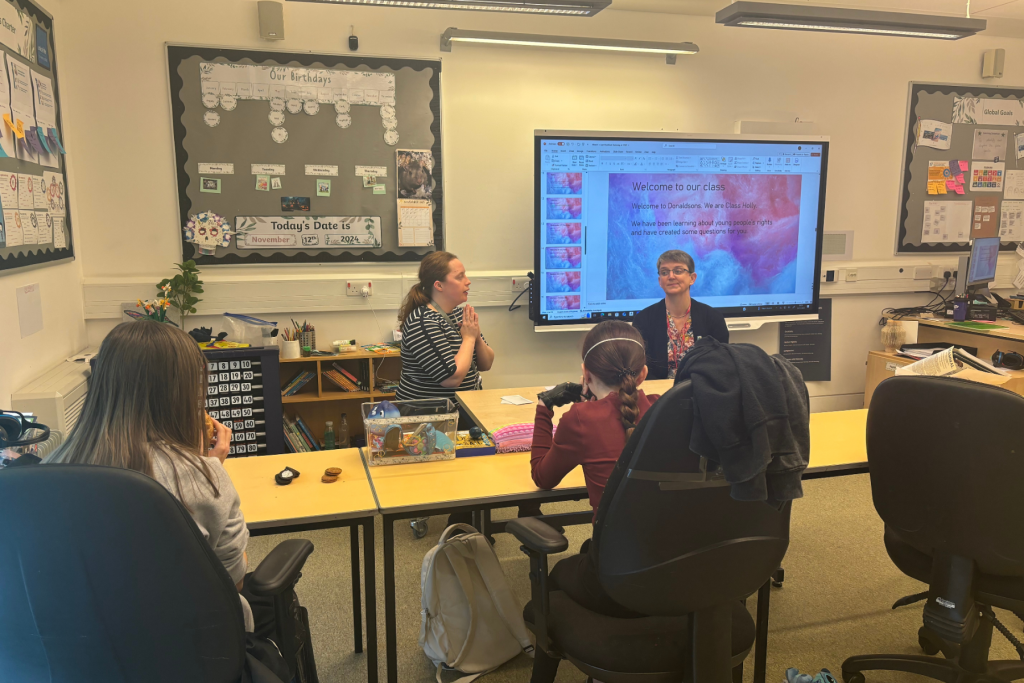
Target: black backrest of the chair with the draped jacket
(669, 540)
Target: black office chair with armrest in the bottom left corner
(105, 577)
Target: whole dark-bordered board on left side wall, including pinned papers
(35, 224)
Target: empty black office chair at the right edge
(947, 462)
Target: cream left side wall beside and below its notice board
(61, 286)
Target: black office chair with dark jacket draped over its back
(668, 542)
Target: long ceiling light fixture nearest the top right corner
(805, 18)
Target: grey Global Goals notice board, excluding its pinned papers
(935, 102)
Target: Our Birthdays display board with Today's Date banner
(293, 158)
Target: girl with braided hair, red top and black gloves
(608, 405)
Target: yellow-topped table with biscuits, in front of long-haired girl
(310, 504)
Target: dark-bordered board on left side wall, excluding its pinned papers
(37, 51)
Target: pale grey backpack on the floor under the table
(471, 620)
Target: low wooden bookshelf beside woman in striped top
(321, 400)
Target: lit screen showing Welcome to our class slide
(747, 212)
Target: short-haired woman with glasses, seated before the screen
(672, 326)
